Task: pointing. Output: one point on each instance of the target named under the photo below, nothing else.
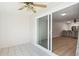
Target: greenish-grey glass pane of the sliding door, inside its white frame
(42, 31)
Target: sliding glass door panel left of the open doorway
(44, 31)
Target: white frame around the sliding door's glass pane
(49, 33)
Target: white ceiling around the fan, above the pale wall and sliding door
(51, 6)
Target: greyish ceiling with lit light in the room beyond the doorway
(72, 12)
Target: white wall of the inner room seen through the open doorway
(58, 27)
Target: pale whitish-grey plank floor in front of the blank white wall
(19, 50)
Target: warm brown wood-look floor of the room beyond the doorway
(64, 46)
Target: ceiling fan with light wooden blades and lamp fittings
(32, 5)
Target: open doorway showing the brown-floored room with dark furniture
(65, 31)
